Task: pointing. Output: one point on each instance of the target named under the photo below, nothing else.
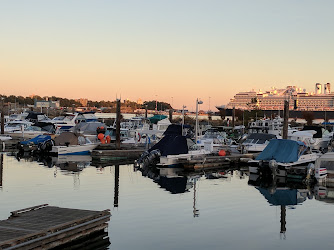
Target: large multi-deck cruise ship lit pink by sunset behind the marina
(321, 99)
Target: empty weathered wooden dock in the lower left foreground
(46, 227)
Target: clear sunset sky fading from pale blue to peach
(171, 50)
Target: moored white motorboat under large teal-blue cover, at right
(280, 155)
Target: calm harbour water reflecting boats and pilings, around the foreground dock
(151, 211)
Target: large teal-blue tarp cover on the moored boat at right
(281, 150)
